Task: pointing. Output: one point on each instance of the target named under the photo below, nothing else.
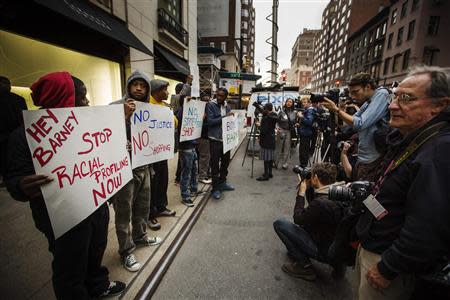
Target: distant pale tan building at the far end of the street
(302, 57)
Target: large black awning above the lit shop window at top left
(95, 19)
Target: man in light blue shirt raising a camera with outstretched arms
(372, 114)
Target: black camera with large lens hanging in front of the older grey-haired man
(355, 194)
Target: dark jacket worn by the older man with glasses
(415, 233)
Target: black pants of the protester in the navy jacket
(219, 163)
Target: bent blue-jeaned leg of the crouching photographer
(297, 241)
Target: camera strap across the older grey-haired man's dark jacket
(415, 144)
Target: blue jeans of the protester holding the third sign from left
(188, 180)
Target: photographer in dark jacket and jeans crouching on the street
(313, 230)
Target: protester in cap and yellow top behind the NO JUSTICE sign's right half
(160, 179)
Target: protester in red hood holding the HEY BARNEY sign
(77, 255)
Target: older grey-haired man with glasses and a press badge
(405, 240)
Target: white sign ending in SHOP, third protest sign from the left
(191, 126)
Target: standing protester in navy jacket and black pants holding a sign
(216, 110)
